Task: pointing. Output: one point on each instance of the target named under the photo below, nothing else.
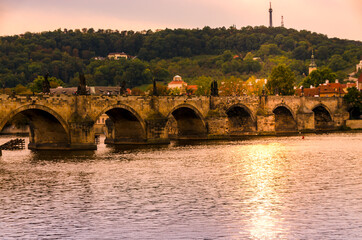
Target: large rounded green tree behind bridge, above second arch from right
(281, 80)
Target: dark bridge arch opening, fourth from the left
(240, 119)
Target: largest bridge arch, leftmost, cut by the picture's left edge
(47, 128)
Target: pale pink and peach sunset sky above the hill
(335, 18)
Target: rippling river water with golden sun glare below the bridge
(262, 188)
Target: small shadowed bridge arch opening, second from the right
(285, 119)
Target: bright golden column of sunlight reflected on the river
(265, 168)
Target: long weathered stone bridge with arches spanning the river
(67, 121)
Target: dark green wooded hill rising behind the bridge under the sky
(192, 53)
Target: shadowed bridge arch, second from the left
(124, 125)
